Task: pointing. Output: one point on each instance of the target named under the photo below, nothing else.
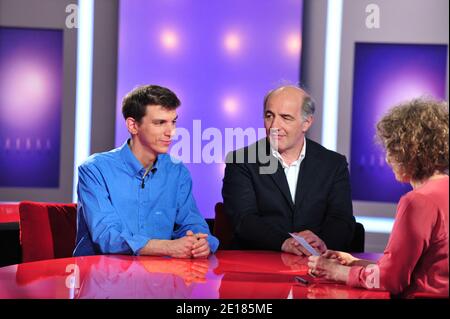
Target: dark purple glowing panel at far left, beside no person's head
(31, 70)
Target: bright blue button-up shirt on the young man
(120, 208)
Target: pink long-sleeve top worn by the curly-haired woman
(416, 259)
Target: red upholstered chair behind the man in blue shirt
(47, 230)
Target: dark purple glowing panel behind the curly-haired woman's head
(385, 75)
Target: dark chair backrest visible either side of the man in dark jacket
(223, 230)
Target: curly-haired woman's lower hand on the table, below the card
(329, 269)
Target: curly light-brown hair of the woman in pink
(415, 136)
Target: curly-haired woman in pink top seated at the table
(415, 261)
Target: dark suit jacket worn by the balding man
(260, 206)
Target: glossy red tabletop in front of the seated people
(227, 274)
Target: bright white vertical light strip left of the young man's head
(84, 86)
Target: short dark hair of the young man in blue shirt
(135, 103)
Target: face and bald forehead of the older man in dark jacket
(283, 119)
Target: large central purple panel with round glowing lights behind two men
(220, 58)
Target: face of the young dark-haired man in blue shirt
(156, 129)
